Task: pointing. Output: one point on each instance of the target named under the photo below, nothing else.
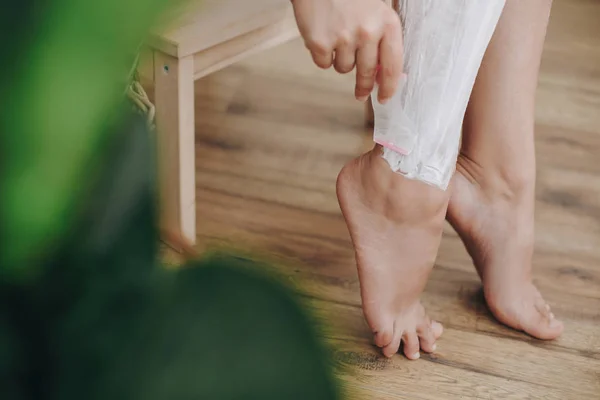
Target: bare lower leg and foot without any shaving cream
(492, 204)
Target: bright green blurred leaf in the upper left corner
(69, 63)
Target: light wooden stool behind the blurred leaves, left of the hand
(209, 36)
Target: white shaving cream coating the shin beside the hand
(444, 43)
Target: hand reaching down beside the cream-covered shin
(347, 33)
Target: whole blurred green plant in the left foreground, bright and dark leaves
(86, 309)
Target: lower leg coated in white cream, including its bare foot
(396, 219)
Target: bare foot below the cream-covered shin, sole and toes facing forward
(396, 226)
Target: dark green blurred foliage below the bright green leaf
(106, 320)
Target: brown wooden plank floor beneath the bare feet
(272, 134)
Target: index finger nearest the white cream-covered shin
(390, 60)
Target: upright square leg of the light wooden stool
(174, 101)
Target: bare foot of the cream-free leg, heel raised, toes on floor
(496, 223)
